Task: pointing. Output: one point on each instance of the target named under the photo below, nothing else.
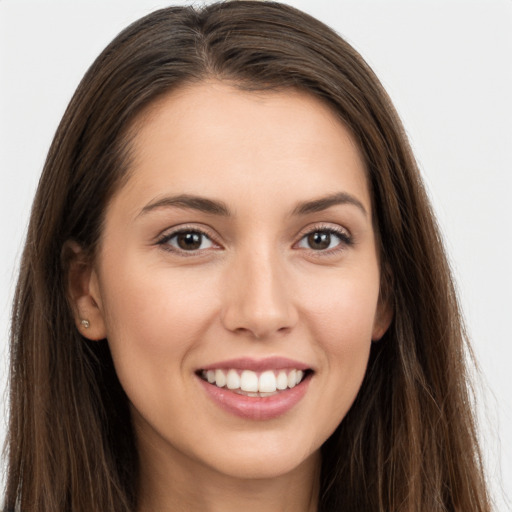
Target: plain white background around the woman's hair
(447, 65)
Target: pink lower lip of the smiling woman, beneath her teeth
(257, 408)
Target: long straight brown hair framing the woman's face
(408, 443)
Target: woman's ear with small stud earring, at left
(84, 292)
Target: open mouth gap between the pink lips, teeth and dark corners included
(254, 384)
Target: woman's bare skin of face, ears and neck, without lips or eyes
(255, 288)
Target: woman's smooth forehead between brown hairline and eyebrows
(214, 139)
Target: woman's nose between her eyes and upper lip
(257, 299)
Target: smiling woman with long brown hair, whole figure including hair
(233, 291)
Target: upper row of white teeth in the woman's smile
(247, 380)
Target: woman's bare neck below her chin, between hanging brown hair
(176, 483)
